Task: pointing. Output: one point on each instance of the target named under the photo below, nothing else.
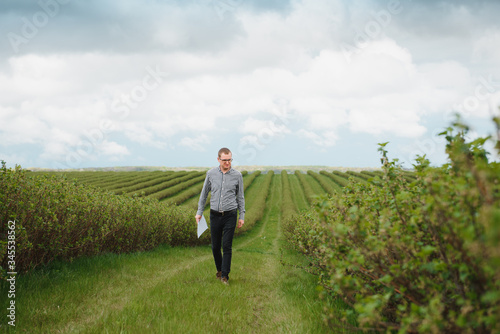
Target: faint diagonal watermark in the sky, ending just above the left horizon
(120, 109)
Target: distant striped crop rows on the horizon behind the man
(183, 188)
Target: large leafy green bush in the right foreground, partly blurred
(414, 255)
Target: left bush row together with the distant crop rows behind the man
(64, 215)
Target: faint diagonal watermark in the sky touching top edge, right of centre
(372, 29)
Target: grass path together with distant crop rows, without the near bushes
(139, 290)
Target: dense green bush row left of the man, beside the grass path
(60, 219)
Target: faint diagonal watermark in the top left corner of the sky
(31, 26)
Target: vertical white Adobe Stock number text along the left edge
(11, 273)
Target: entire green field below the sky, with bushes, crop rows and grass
(321, 251)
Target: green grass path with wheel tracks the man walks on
(174, 290)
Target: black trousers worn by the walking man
(222, 233)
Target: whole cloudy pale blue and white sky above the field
(100, 83)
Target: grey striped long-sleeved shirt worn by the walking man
(227, 191)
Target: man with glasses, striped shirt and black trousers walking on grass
(226, 185)
